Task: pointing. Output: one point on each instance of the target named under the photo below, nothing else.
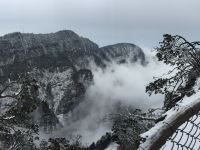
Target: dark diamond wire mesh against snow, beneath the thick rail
(186, 137)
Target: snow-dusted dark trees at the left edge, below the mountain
(16, 126)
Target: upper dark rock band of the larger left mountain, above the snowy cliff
(23, 52)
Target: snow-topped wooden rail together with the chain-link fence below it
(180, 130)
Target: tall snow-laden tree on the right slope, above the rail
(184, 57)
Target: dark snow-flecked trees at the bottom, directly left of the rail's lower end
(128, 124)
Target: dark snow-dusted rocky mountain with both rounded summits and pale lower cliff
(60, 63)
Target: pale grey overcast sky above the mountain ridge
(141, 22)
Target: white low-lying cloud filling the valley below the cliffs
(117, 84)
